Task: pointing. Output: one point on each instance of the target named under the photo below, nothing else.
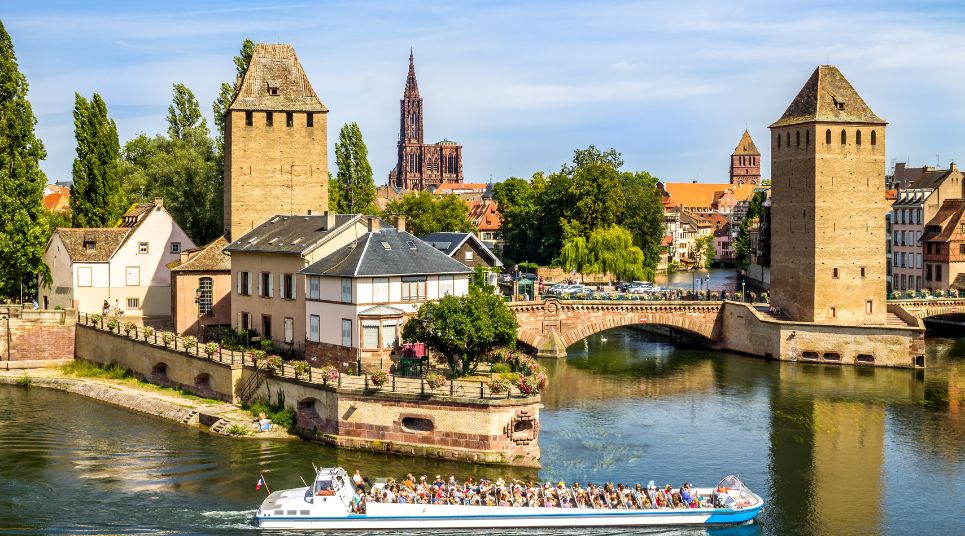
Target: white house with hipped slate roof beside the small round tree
(359, 296)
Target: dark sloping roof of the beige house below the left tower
(293, 235)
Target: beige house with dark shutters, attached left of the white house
(268, 294)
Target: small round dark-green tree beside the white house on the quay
(464, 329)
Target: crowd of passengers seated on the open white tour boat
(527, 494)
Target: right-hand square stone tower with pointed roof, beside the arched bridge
(828, 205)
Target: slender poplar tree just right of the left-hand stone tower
(355, 192)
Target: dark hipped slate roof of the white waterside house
(368, 256)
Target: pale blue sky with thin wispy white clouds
(520, 85)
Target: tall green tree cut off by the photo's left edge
(23, 228)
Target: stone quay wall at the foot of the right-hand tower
(748, 331)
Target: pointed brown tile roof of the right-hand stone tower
(828, 97)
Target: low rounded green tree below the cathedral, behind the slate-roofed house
(428, 213)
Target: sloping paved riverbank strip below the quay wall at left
(209, 415)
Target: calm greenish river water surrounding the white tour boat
(835, 450)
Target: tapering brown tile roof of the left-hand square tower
(275, 80)
